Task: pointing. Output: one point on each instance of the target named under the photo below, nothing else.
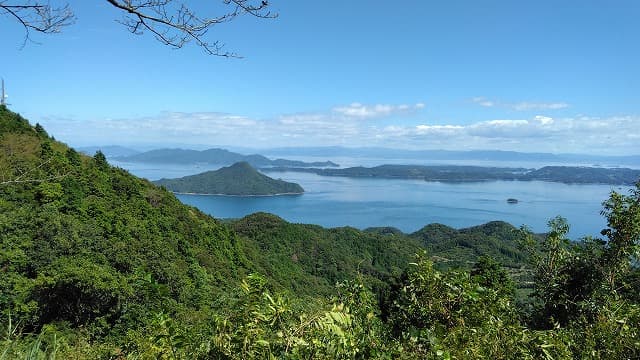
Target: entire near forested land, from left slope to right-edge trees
(97, 263)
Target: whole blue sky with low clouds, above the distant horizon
(544, 76)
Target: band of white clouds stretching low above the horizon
(610, 135)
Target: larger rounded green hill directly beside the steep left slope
(311, 259)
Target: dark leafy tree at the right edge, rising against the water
(583, 281)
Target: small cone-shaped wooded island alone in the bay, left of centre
(237, 179)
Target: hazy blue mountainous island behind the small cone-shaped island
(214, 156)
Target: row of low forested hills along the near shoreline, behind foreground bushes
(309, 259)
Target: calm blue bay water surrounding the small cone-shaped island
(406, 204)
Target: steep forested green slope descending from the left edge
(83, 241)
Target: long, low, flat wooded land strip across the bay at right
(454, 173)
